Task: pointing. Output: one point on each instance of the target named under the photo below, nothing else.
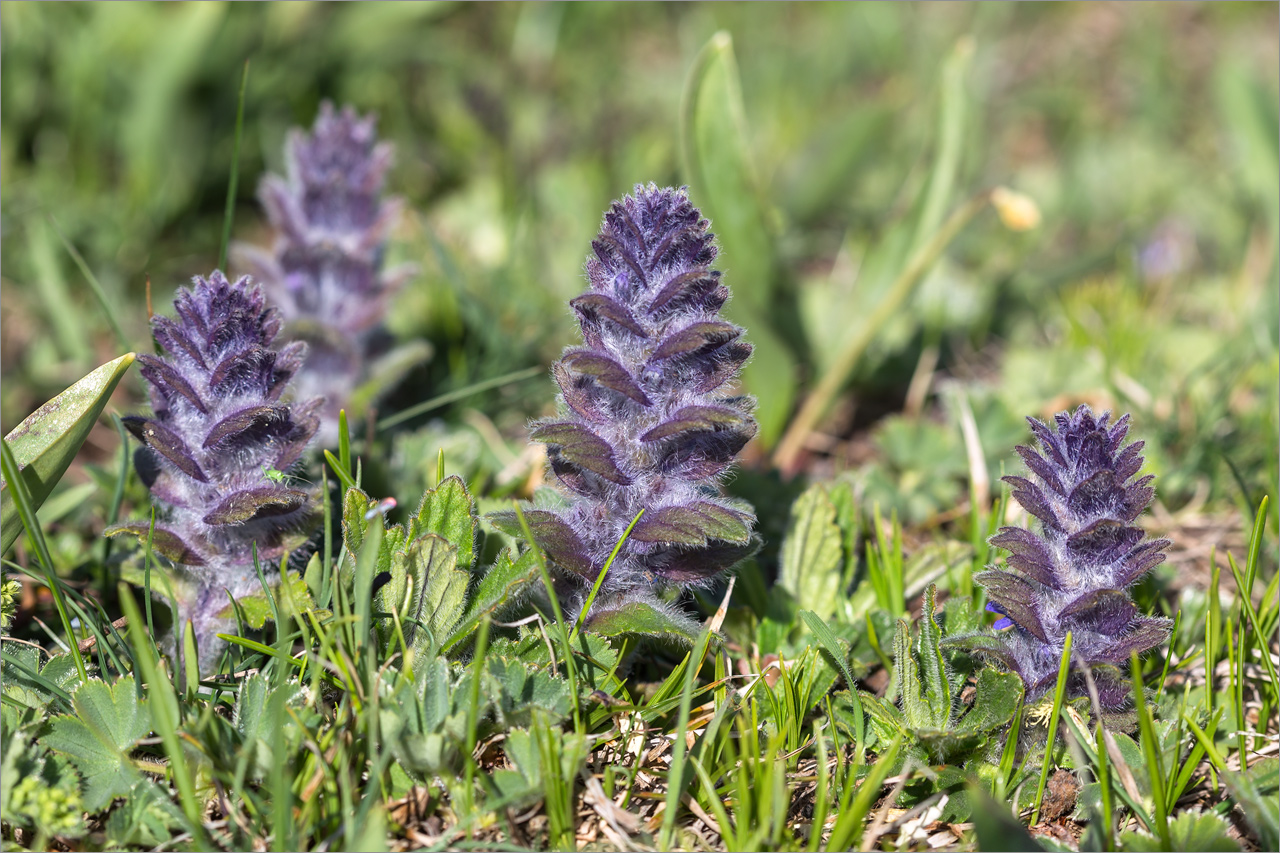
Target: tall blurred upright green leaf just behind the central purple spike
(717, 162)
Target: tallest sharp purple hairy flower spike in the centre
(646, 423)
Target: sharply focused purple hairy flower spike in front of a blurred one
(218, 444)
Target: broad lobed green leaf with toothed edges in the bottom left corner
(109, 722)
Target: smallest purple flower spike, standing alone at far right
(1073, 574)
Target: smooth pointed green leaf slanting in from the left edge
(48, 441)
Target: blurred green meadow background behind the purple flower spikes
(824, 142)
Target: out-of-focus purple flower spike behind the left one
(326, 272)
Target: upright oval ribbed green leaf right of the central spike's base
(812, 554)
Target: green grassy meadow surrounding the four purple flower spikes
(847, 154)
